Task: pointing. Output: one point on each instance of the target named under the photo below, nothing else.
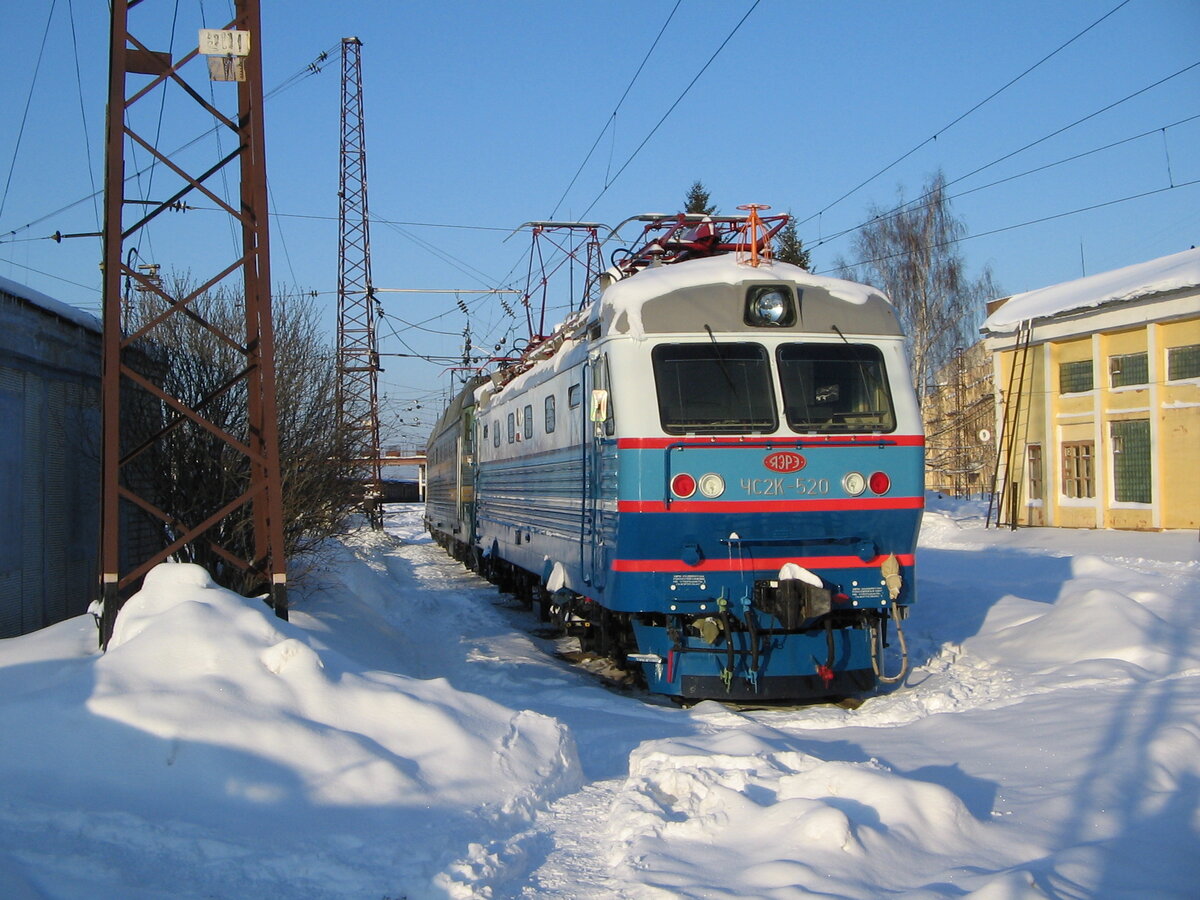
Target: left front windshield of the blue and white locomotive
(713, 388)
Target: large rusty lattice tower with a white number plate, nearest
(239, 531)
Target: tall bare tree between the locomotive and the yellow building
(910, 253)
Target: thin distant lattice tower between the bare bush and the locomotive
(358, 353)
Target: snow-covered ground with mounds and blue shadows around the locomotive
(407, 735)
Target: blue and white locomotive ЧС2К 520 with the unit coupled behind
(713, 473)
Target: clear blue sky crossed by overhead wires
(481, 115)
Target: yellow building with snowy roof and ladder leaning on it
(1099, 399)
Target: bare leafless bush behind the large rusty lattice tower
(191, 473)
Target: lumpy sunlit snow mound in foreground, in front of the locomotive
(761, 820)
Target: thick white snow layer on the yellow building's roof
(1157, 277)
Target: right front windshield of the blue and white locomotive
(836, 388)
